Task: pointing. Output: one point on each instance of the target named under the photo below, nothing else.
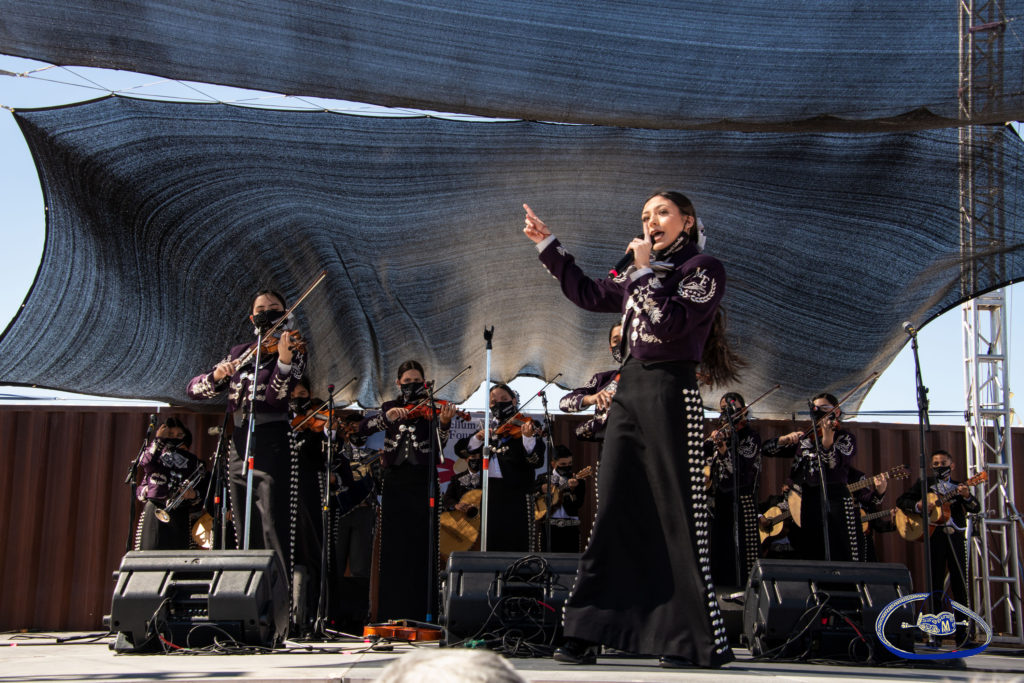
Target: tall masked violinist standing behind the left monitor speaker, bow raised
(276, 377)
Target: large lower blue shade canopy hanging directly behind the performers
(164, 219)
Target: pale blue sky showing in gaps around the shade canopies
(23, 229)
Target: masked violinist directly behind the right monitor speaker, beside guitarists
(833, 448)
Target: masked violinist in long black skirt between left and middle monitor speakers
(408, 530)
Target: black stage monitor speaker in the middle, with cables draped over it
(502, 592)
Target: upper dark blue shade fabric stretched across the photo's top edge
(736, 65)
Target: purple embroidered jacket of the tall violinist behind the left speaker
(274, 387)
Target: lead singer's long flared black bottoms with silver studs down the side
(645, 583)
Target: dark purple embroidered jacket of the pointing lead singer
(667, 315)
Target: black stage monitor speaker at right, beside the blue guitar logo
(825, 611)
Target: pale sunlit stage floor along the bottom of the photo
(38, 659)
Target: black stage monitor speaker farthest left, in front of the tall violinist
(192, 597)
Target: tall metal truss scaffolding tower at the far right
(995, 545)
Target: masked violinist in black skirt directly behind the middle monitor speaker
(515, 459)
